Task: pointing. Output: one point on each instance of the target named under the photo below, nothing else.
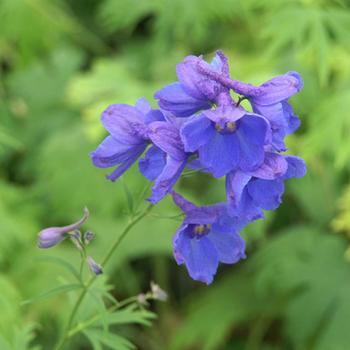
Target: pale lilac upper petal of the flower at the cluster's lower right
(274, 166)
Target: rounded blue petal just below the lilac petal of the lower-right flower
(266, 194)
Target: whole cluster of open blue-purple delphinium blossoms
(200, 126)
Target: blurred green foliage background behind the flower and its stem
(63, 61)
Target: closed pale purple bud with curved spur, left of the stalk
(51, 236)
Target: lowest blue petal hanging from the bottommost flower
(199, 255)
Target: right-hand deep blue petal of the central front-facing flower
(251, 133)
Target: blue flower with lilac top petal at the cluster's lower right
(249, 193)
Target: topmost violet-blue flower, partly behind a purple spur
(194, 91)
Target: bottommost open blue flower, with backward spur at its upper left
(207, 236)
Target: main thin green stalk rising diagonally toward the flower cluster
(81, 297)
